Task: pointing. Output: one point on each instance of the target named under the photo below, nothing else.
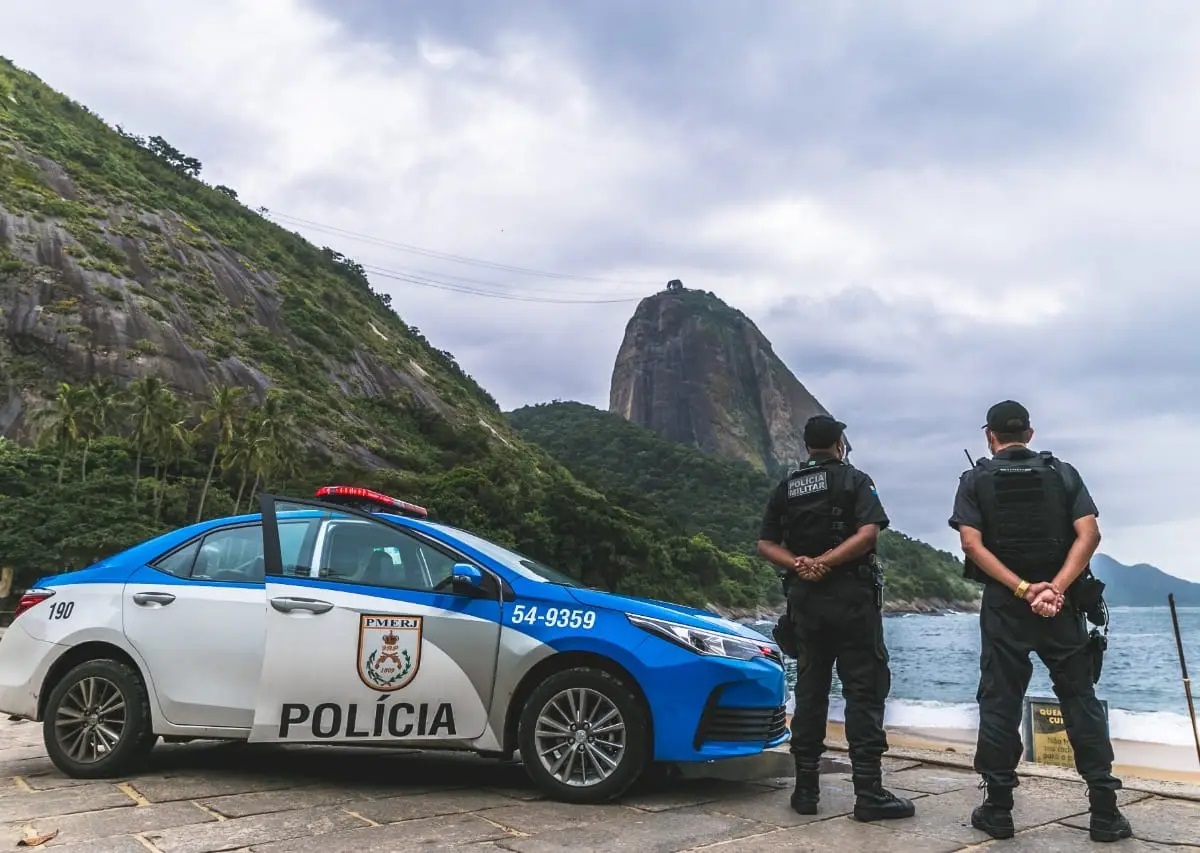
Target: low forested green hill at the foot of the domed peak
(704, 494)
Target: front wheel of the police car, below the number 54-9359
(603, 694)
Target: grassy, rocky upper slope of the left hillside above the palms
(117, 263)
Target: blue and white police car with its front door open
(352, 618)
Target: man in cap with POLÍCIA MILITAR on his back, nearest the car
(821, 527)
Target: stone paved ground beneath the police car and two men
(197, 798)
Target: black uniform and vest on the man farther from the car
(1025, 504)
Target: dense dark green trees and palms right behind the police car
(112, 471)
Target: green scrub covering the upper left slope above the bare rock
(157, 237)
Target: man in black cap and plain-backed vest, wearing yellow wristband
(1029, 530)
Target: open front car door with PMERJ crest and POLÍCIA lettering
(368, 636)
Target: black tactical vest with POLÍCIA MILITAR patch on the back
(819, 514)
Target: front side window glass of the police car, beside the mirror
(380, 556)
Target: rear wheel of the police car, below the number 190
(109, 683)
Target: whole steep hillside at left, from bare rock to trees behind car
(166, 353)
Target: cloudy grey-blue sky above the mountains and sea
(927, 207)
